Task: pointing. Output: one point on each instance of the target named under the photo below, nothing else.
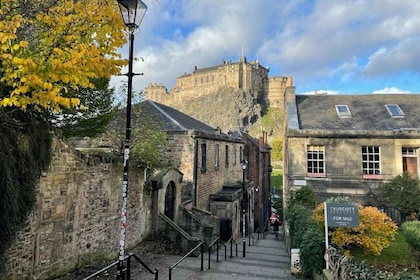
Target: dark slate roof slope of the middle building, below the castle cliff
(174, 120)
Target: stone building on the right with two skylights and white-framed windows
(345, 145)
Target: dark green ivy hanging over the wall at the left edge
(25, 143)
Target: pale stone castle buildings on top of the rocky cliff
(237, 75)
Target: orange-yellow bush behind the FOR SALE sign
(374, 233)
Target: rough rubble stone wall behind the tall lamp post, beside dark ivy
(77, 215)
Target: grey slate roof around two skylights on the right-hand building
(368, 112)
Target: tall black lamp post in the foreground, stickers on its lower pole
(132, 12)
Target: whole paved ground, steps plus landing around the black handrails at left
(265, 259)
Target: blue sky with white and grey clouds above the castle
(338, 46)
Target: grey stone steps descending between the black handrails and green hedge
(266, 259)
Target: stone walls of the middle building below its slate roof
(184, 153)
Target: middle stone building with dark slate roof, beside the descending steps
(210, 163)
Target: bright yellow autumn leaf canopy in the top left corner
(51, 48)
